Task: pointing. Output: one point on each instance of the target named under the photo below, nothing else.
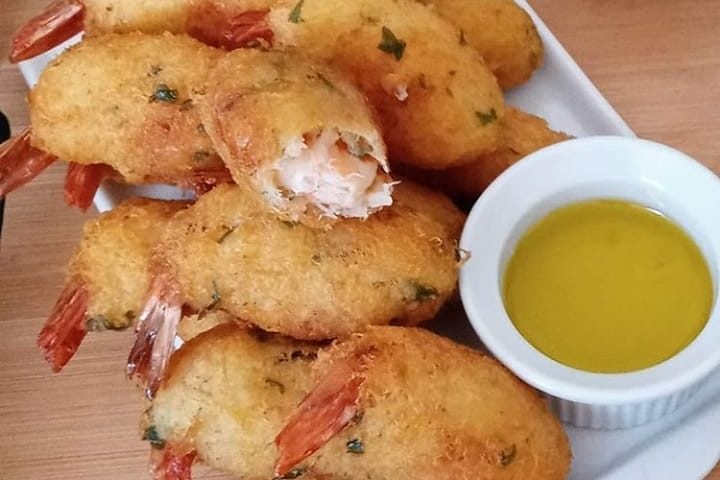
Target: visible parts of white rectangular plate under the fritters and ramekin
(681, 446)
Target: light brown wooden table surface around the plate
(657, 61)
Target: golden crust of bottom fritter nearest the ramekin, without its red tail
(432, 409)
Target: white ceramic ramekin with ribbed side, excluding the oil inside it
(597, 167)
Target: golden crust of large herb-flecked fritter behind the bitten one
(453, 101)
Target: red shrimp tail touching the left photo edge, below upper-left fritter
(20, 162)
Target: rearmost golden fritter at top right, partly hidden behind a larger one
(501, 31)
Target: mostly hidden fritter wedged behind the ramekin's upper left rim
(522, 134)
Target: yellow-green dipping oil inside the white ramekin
(607, 286)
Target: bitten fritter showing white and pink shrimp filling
(303, 134)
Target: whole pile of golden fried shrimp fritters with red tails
(301, 249)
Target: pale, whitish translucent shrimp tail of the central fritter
(156, 329)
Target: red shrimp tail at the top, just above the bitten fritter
(217, 27)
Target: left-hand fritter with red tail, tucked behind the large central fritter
(107, 276)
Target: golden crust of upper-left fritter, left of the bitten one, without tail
(124, 100)
